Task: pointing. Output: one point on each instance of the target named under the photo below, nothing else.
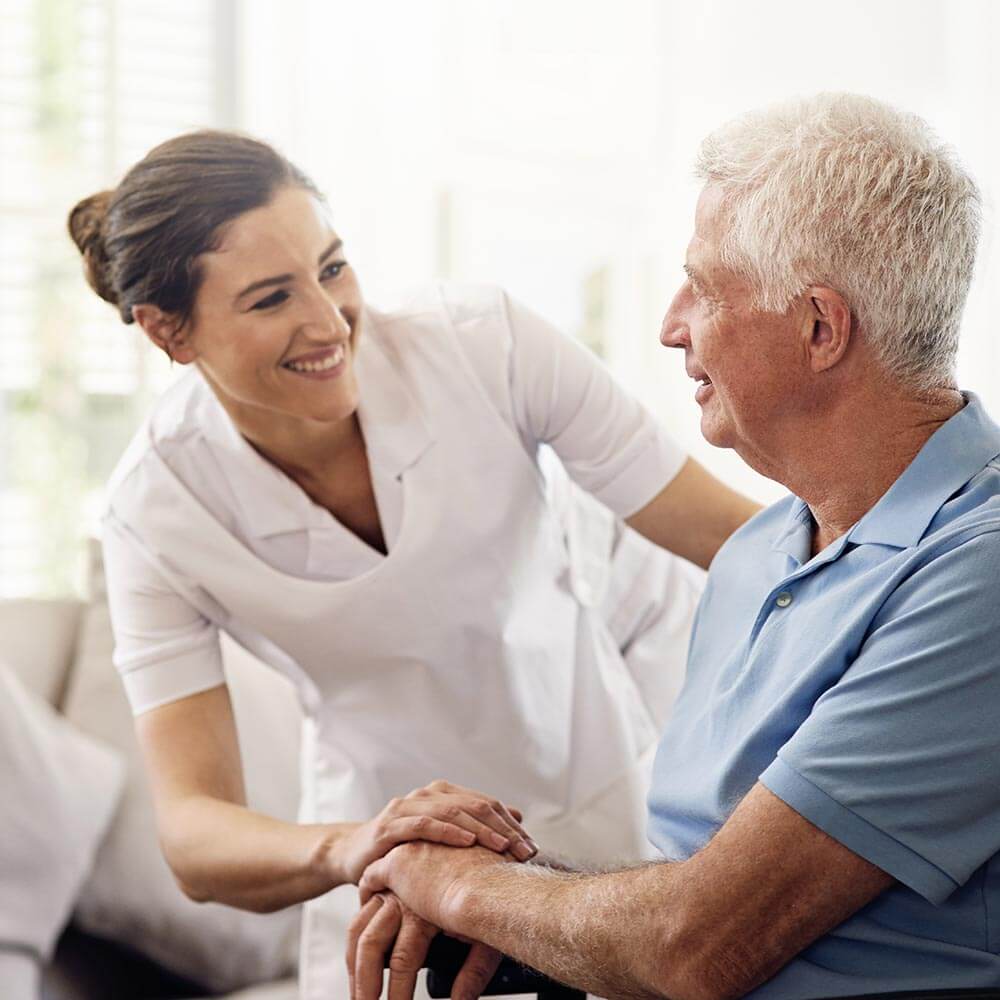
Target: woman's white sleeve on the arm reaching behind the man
(563, 396)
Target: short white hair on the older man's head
(844, 191)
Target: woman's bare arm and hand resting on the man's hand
(221, 851)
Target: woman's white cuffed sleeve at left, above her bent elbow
(165, 649)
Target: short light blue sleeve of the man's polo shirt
(898, 760)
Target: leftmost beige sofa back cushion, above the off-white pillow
(38, 638)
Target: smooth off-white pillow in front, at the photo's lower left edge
(59, 788)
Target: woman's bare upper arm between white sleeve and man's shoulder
(693, 514)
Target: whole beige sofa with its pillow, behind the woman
(88, 907)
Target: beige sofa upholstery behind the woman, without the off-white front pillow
(62, 651)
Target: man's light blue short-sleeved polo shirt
(862, 687)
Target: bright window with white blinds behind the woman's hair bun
(86, 88)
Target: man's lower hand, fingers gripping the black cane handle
(384, 923)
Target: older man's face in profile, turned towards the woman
(748, 363)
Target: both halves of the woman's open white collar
(395, 430)
